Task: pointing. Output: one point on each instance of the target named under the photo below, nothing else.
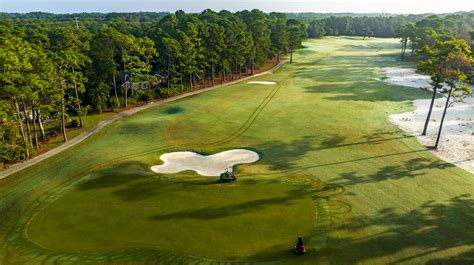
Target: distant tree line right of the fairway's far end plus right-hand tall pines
(441, 45)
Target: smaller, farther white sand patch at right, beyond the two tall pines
(405, 77)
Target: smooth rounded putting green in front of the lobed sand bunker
(202, 218)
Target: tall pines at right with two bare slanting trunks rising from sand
(443, 51)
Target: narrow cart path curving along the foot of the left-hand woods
(20, 166)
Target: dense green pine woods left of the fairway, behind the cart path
(53, 68)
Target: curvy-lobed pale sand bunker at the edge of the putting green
(212, 165)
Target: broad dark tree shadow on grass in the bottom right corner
(429, 231)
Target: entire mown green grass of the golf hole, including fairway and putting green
(332, 168)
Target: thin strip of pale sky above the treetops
(319, 6)
